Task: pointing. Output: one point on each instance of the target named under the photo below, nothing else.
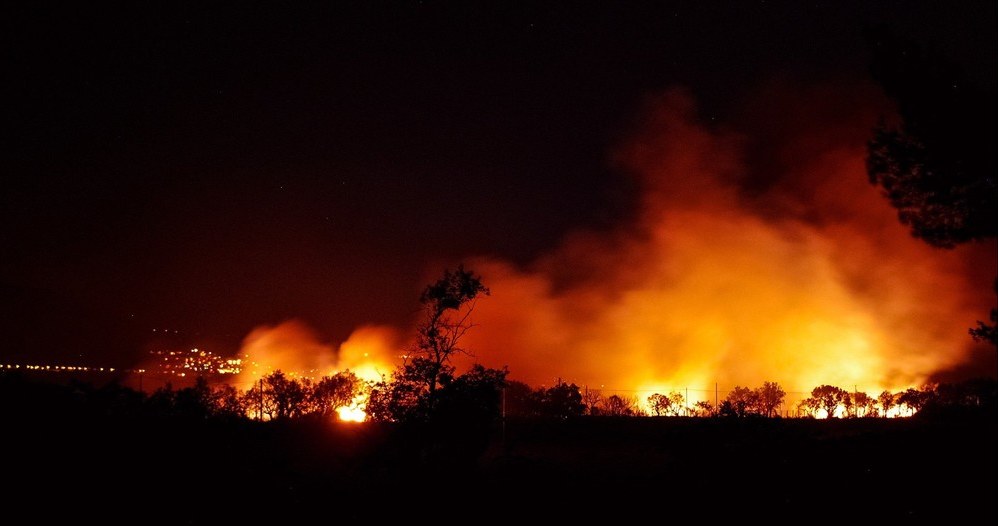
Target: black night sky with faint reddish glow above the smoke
(209, 167)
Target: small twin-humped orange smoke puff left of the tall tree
(294, 348)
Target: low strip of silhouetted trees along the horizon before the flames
(481, 394)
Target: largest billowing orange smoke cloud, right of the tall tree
(803, 278)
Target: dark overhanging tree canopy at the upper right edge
(937, 165)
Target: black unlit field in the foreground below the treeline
(65, 468)
